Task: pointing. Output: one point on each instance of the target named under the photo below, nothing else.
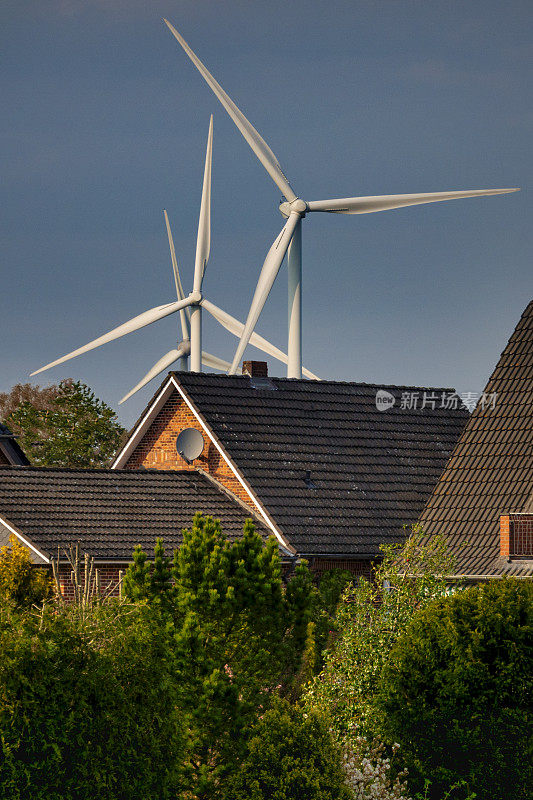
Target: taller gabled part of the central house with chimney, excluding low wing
(333, 469)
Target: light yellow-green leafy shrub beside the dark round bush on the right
(370, 618)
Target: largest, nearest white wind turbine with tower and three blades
(295, 209)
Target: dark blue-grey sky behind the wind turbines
(104, 122)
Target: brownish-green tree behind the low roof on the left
(63, 426)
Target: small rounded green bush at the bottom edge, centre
(291, 755)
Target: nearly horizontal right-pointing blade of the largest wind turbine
(385, 202)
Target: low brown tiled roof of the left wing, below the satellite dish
(110, 511)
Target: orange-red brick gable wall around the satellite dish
(157, 448)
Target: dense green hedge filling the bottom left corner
(87, 705)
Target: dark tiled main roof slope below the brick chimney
(336, 475)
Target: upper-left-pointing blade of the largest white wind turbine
(256, 142)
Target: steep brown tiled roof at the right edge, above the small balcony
(490, 472)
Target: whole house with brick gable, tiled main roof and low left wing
(330, 469)
